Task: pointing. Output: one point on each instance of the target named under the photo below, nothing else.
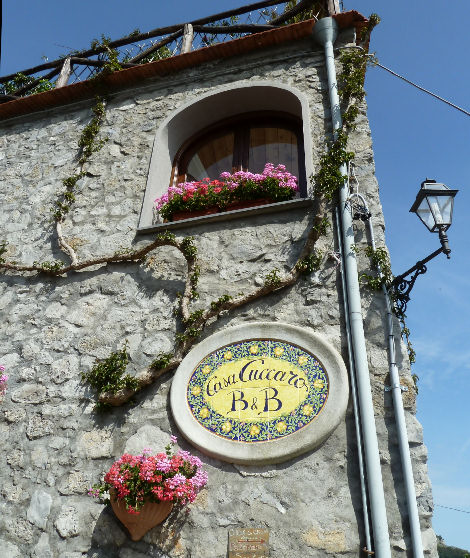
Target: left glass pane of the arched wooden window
(212, 158)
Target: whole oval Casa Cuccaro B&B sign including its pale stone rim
(259, 393)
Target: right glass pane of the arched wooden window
(273, 145)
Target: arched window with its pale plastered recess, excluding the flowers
(232, 127)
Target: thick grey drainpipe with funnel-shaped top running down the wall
(325, 33)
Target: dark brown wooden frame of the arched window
(241, 125)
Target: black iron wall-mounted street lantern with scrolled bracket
(433, 205)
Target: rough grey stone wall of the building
(54, 446)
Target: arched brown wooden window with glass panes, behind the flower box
(245, 142)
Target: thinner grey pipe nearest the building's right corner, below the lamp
(413, 515)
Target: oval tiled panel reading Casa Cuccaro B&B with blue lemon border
(257, 390)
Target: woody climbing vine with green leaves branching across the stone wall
(108, 377)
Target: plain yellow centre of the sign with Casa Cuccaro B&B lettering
(256, 389)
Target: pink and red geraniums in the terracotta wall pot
(162, 477)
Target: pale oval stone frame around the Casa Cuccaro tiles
(271, 451)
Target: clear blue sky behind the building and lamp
(414, 137)
